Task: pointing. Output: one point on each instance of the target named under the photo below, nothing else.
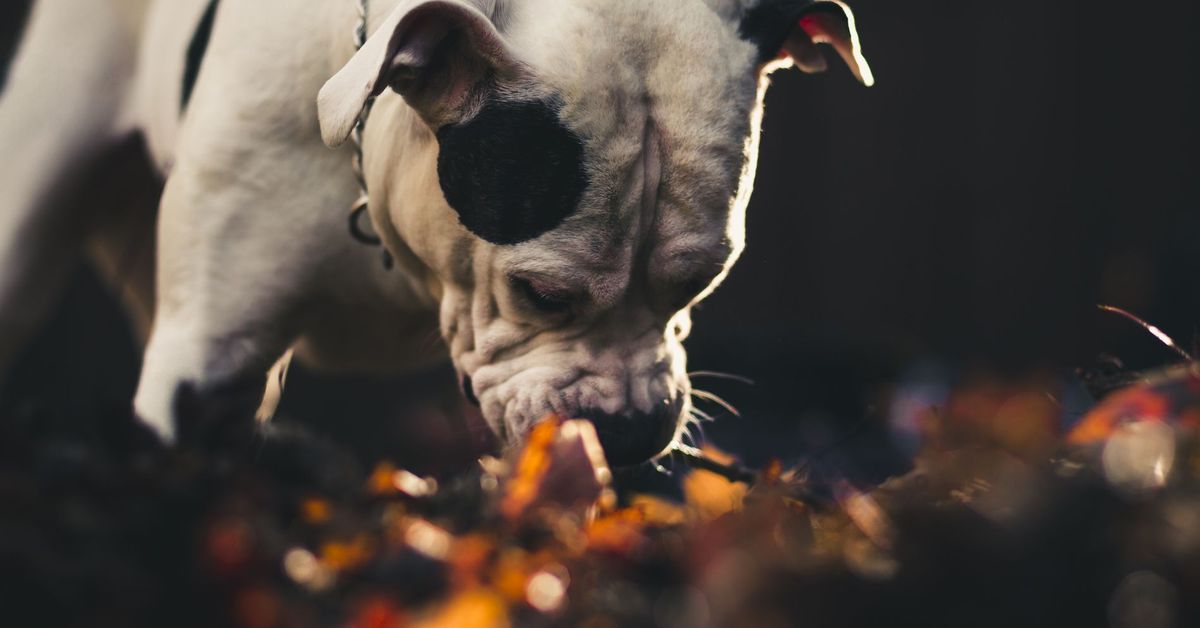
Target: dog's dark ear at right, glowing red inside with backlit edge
(795, 28)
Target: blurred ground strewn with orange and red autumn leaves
(1009, 518)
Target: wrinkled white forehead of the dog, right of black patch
(668, 81)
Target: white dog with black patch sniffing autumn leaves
(559, 182)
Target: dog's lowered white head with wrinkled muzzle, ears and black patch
(585, 182)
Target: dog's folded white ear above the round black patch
(436, 53)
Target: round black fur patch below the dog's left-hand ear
(512, 174)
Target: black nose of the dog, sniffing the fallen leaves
(634, 438)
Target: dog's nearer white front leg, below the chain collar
(243, 256)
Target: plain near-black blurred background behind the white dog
(1016, 166)
